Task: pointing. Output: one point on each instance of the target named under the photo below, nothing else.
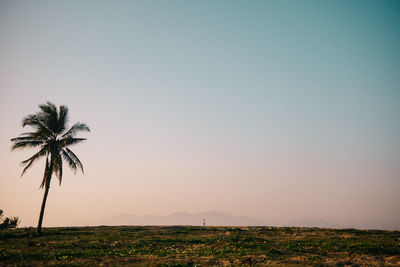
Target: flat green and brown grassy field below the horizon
(195, 246)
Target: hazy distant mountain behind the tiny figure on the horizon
(213, 218)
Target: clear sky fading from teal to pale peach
(276, 110)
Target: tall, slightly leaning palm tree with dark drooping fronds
(52, 139)
